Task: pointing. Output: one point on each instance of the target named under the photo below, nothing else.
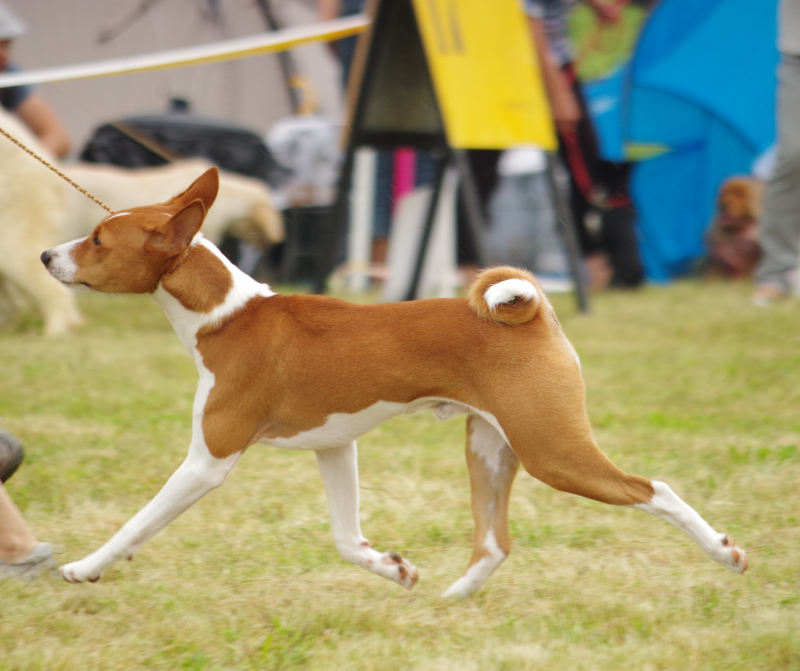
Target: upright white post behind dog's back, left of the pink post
(362, 206)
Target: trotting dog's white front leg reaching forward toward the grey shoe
(195, 477)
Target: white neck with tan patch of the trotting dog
(204, 290)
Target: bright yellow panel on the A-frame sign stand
(485, 72)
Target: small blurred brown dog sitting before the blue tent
(733, 249)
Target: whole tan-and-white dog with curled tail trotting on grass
(315, 373)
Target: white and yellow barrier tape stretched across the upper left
(265, 43)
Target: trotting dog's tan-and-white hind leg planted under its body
(492, 467)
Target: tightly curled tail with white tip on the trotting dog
(505, 295)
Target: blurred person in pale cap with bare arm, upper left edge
(23, 100)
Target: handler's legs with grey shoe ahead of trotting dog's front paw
(21, 555)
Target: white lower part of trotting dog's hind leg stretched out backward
(720, 547)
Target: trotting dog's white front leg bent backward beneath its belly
(339, 469)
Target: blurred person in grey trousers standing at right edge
(779, 235)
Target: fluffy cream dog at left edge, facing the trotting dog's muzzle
(33, 209)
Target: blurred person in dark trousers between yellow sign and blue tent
(599, 188)
